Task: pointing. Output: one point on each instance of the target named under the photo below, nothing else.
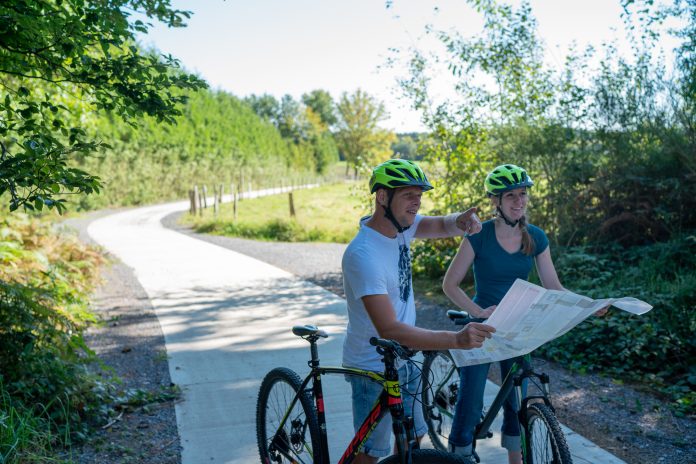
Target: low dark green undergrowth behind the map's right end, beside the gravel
(657, 348)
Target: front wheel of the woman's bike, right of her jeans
(545, 440)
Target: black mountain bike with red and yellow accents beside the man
(290, 415)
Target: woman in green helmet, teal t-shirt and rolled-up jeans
(503, 251)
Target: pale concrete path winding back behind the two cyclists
(226, 319)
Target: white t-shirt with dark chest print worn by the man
(375, 265)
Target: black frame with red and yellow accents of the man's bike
(389, 401)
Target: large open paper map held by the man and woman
(529, 316)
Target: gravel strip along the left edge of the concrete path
(130, 342)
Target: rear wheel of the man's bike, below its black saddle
(277, 391)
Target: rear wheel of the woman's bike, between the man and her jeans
(439, 396)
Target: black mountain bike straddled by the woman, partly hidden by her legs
(542, 438)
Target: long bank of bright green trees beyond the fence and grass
(223, 139)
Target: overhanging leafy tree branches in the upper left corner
(84, 49)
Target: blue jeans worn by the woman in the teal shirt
(467, 414)
